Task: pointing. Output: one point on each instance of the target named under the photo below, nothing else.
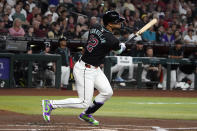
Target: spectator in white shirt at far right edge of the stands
(190, 38)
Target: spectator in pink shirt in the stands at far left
(16, 29)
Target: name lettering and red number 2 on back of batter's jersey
(95, 37)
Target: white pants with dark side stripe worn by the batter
(86, 79)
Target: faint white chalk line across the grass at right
(162, 103)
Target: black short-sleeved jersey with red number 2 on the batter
(100, 42)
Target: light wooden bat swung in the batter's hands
(143, 29)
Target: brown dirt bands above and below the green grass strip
(16, 121)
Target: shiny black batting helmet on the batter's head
(112, 17)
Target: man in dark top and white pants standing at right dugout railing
(174, 53)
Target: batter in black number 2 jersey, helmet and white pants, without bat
(87, 72)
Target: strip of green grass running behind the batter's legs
(161, 107)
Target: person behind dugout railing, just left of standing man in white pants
(49, 67)
